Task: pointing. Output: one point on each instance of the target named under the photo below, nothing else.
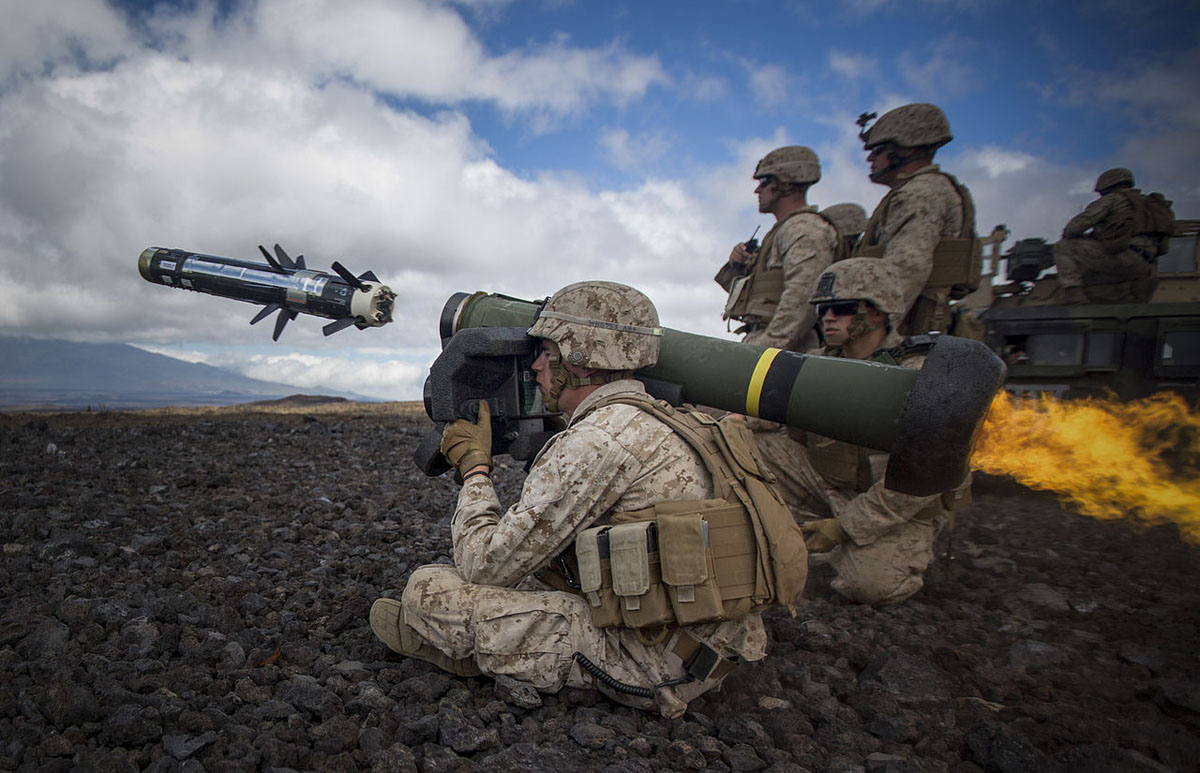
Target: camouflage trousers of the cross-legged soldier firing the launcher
(533, 636)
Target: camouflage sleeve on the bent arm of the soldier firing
(577, 480)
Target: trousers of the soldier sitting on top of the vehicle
(1106, 278)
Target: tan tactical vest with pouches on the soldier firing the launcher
(693, 561)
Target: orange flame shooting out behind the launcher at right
(1113, 460)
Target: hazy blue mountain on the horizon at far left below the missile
(46, 374)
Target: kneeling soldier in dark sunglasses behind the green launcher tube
(879, 542)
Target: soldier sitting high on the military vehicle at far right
(1108, 253)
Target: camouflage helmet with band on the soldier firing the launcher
(602, 326)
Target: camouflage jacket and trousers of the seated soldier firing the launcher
(615, 459)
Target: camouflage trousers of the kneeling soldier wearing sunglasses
(887, 571)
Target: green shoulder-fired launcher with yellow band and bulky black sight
(928, 420)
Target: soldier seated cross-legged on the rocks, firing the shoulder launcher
(641, 535)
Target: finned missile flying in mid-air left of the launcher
(283, 285)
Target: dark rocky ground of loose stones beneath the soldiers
(191, 594)
